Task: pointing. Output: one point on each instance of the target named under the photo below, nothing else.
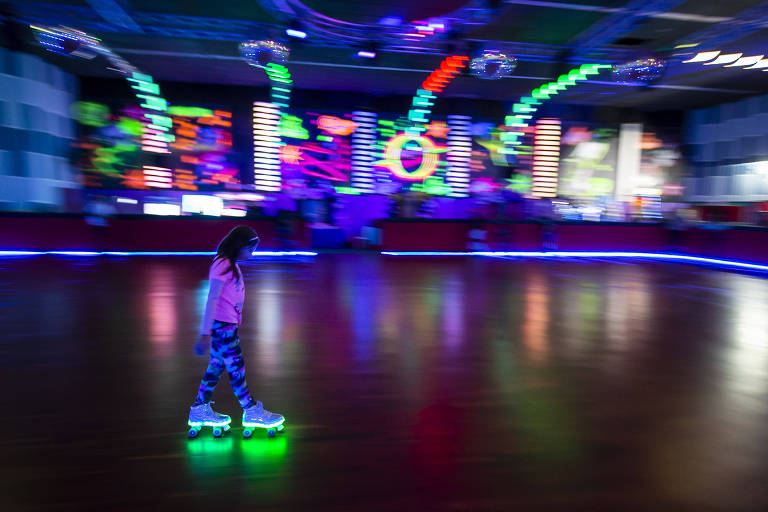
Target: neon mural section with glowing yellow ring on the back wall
(363, 152)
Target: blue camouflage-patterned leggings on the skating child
(225, 354)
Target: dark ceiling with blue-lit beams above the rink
(196, 41)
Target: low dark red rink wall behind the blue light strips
(140, 233)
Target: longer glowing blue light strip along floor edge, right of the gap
(595, 254)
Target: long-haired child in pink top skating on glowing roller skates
(219, 331)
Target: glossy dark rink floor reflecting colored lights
(407, 383)
